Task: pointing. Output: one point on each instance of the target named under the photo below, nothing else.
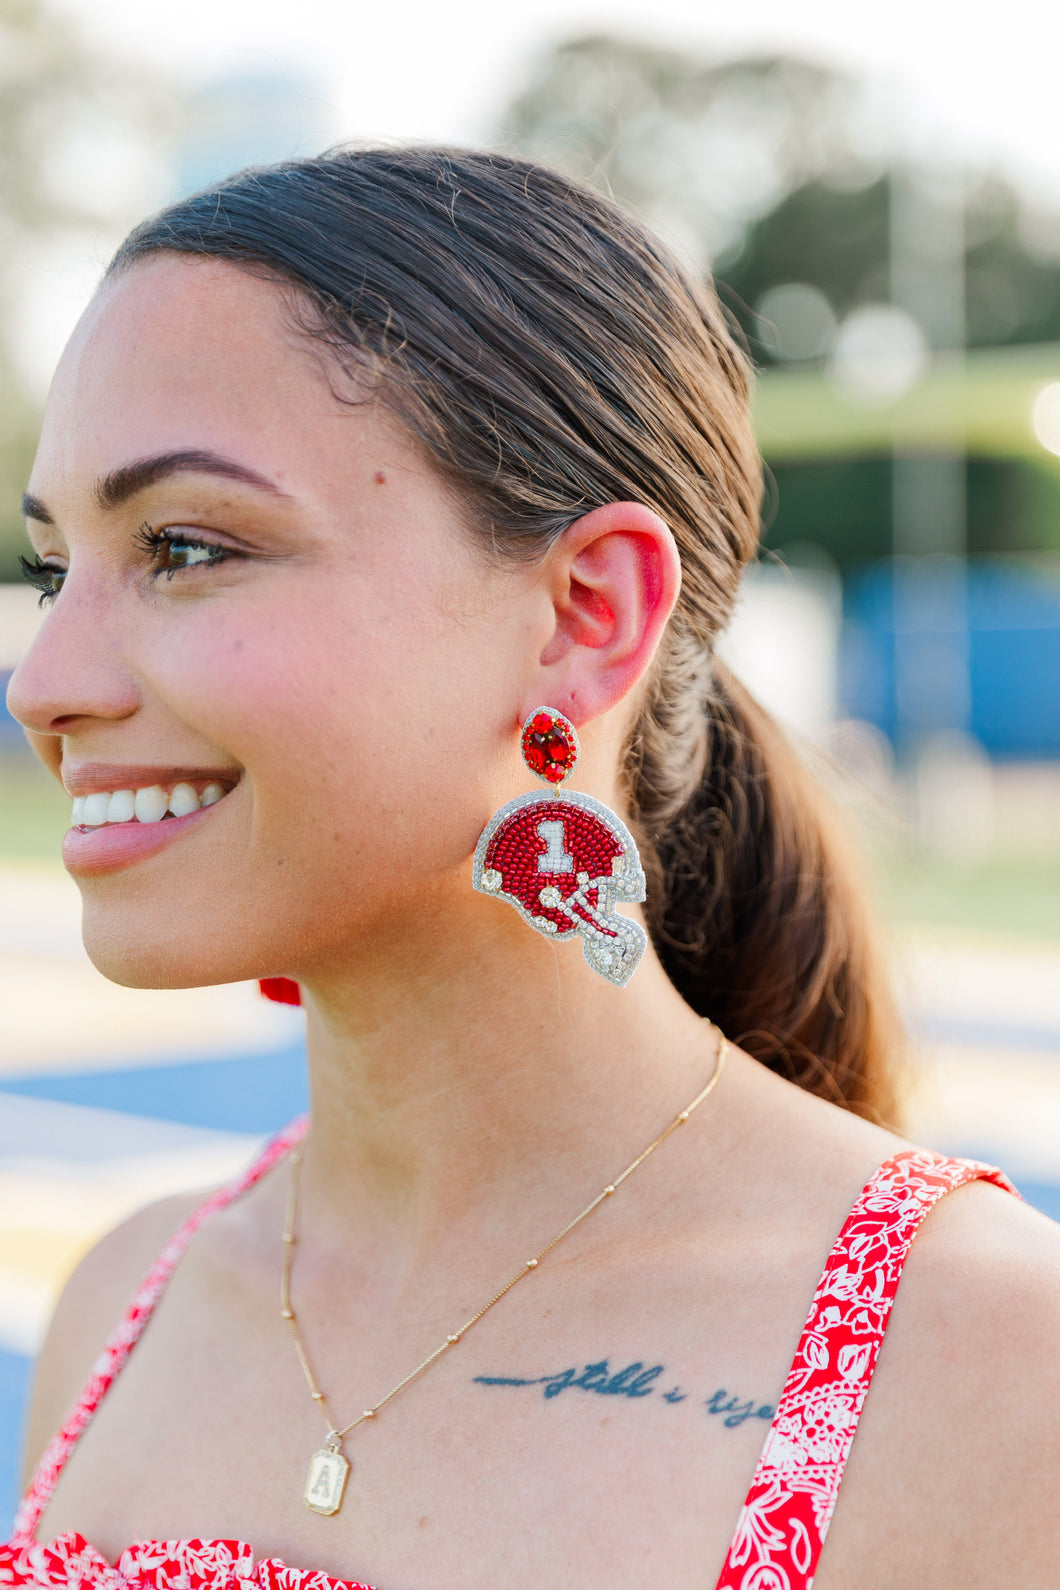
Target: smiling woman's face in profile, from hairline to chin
(263, 589)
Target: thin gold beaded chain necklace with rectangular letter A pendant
(327, 1479)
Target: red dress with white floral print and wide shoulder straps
(784, 1522)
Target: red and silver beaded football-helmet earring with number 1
(563, 861)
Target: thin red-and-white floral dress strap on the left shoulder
(131, 1330)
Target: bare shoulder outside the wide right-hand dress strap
(959, 1445)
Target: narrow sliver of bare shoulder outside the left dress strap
(90, 1308)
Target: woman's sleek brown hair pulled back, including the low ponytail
(552, 357)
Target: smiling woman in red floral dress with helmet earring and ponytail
(354, 468)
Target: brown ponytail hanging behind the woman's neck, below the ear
(759, 920)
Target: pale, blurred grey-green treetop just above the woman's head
(700, 149)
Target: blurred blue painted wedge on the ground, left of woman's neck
(257, 1093)
